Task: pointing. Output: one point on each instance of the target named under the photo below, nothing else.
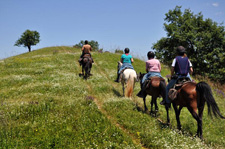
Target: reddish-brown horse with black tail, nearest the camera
(193, 96)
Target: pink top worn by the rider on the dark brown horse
(153, 65)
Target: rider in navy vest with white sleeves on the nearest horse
(181, 67)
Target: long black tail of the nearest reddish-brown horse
(205, 93)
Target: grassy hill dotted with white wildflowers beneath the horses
(45, 104)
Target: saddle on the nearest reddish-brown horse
(173, 92)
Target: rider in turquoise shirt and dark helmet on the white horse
(126, 60)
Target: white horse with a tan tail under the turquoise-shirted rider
(128, 79)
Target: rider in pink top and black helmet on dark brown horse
(153, 68)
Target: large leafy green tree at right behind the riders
(204, 41)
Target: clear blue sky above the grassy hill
(114, 24)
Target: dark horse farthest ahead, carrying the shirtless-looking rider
(86, 66)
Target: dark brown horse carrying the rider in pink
(155, 87)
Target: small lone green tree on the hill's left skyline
(28, 39)
